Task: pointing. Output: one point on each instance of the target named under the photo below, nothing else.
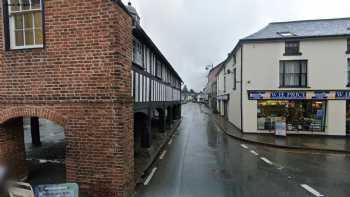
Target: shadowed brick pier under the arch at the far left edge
(12, 149)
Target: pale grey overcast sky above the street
(194, 33)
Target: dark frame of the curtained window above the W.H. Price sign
(282, 82)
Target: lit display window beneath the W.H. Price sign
(298, 115)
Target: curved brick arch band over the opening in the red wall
(15, 112)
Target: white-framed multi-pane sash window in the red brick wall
(25, 24)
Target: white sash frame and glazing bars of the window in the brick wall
(12, 26)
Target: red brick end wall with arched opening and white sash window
(81, 80)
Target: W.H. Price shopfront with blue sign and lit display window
(301, 111)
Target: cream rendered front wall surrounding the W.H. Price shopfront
(327, 69)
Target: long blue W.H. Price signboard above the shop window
(299, 95)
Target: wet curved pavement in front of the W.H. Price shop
(301, 142)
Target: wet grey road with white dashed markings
(202, 161)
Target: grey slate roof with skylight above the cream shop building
(303, 29)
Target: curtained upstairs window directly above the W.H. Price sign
(293, 73)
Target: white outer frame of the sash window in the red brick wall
(9, 26)
